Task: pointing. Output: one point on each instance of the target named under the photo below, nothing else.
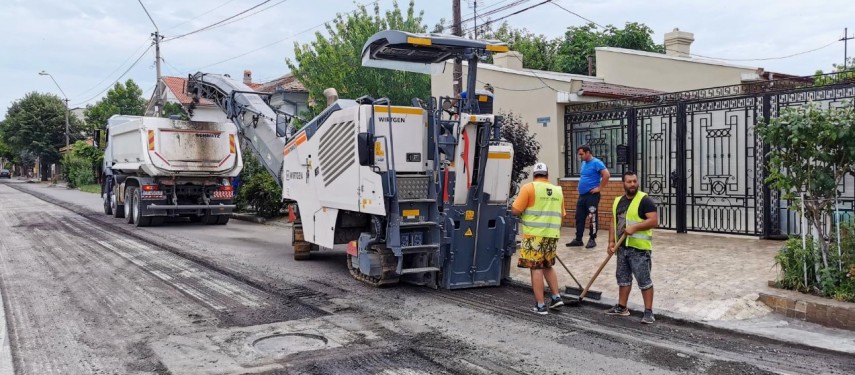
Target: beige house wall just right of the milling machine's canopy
(537, 101)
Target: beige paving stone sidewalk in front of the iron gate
(697, 276)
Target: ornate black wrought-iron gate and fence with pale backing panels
(697, 154)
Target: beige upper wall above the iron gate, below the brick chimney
(664, 73)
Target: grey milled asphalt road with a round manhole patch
(85, 293)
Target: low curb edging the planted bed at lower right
(809, 308)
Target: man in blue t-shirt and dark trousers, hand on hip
(593, 179)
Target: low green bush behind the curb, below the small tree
(837, 280)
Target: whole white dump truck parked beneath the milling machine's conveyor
(155, 168)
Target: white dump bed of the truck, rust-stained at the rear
(166, 147)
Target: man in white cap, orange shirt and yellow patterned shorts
(540, 206)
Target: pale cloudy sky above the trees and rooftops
(87, 45)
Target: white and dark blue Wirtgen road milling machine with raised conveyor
(417, 193)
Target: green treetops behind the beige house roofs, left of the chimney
(569, 53)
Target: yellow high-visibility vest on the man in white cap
(543, 219)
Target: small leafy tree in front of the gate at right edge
(812, 152)
